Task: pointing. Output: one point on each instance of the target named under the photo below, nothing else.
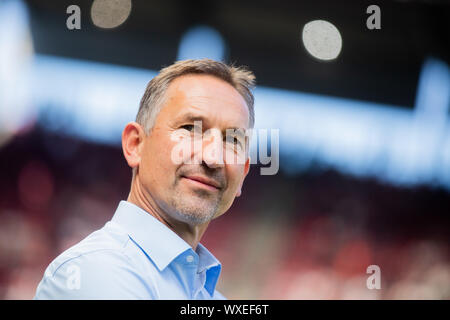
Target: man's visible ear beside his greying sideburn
(132, 141)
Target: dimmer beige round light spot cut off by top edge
(109, 14)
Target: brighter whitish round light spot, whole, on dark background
(322, 39)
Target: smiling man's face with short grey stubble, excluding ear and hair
(175, 186)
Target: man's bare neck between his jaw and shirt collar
(189, 233)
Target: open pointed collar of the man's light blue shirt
(149, 233)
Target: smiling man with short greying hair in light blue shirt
(185, 174)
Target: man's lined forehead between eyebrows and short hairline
(208, 97)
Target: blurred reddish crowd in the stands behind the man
(310, 236)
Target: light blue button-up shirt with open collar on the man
(134, 256)
